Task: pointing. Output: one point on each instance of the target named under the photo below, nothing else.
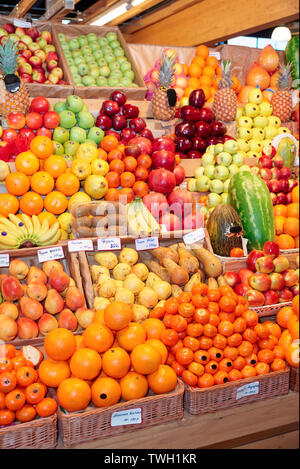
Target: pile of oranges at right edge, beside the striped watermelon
(287, 223)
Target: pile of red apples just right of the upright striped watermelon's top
(277, 177)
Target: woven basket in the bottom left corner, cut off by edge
(40, 433)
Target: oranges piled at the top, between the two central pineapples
(205, 72)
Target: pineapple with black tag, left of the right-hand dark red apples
(165, 98)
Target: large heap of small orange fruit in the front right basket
(213, 337)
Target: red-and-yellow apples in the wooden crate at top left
(38, 62)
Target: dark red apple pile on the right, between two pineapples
(198, 128)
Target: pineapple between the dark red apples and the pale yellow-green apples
(225, 100)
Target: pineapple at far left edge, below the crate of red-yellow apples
(13, 93)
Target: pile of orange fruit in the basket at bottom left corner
(22, 395)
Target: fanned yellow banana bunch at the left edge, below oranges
(27, 232)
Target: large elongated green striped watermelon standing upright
(250, 197)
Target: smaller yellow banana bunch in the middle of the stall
(140, 222)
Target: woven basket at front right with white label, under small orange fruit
(206, 400)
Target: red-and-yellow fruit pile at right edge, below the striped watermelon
(267, 279)
